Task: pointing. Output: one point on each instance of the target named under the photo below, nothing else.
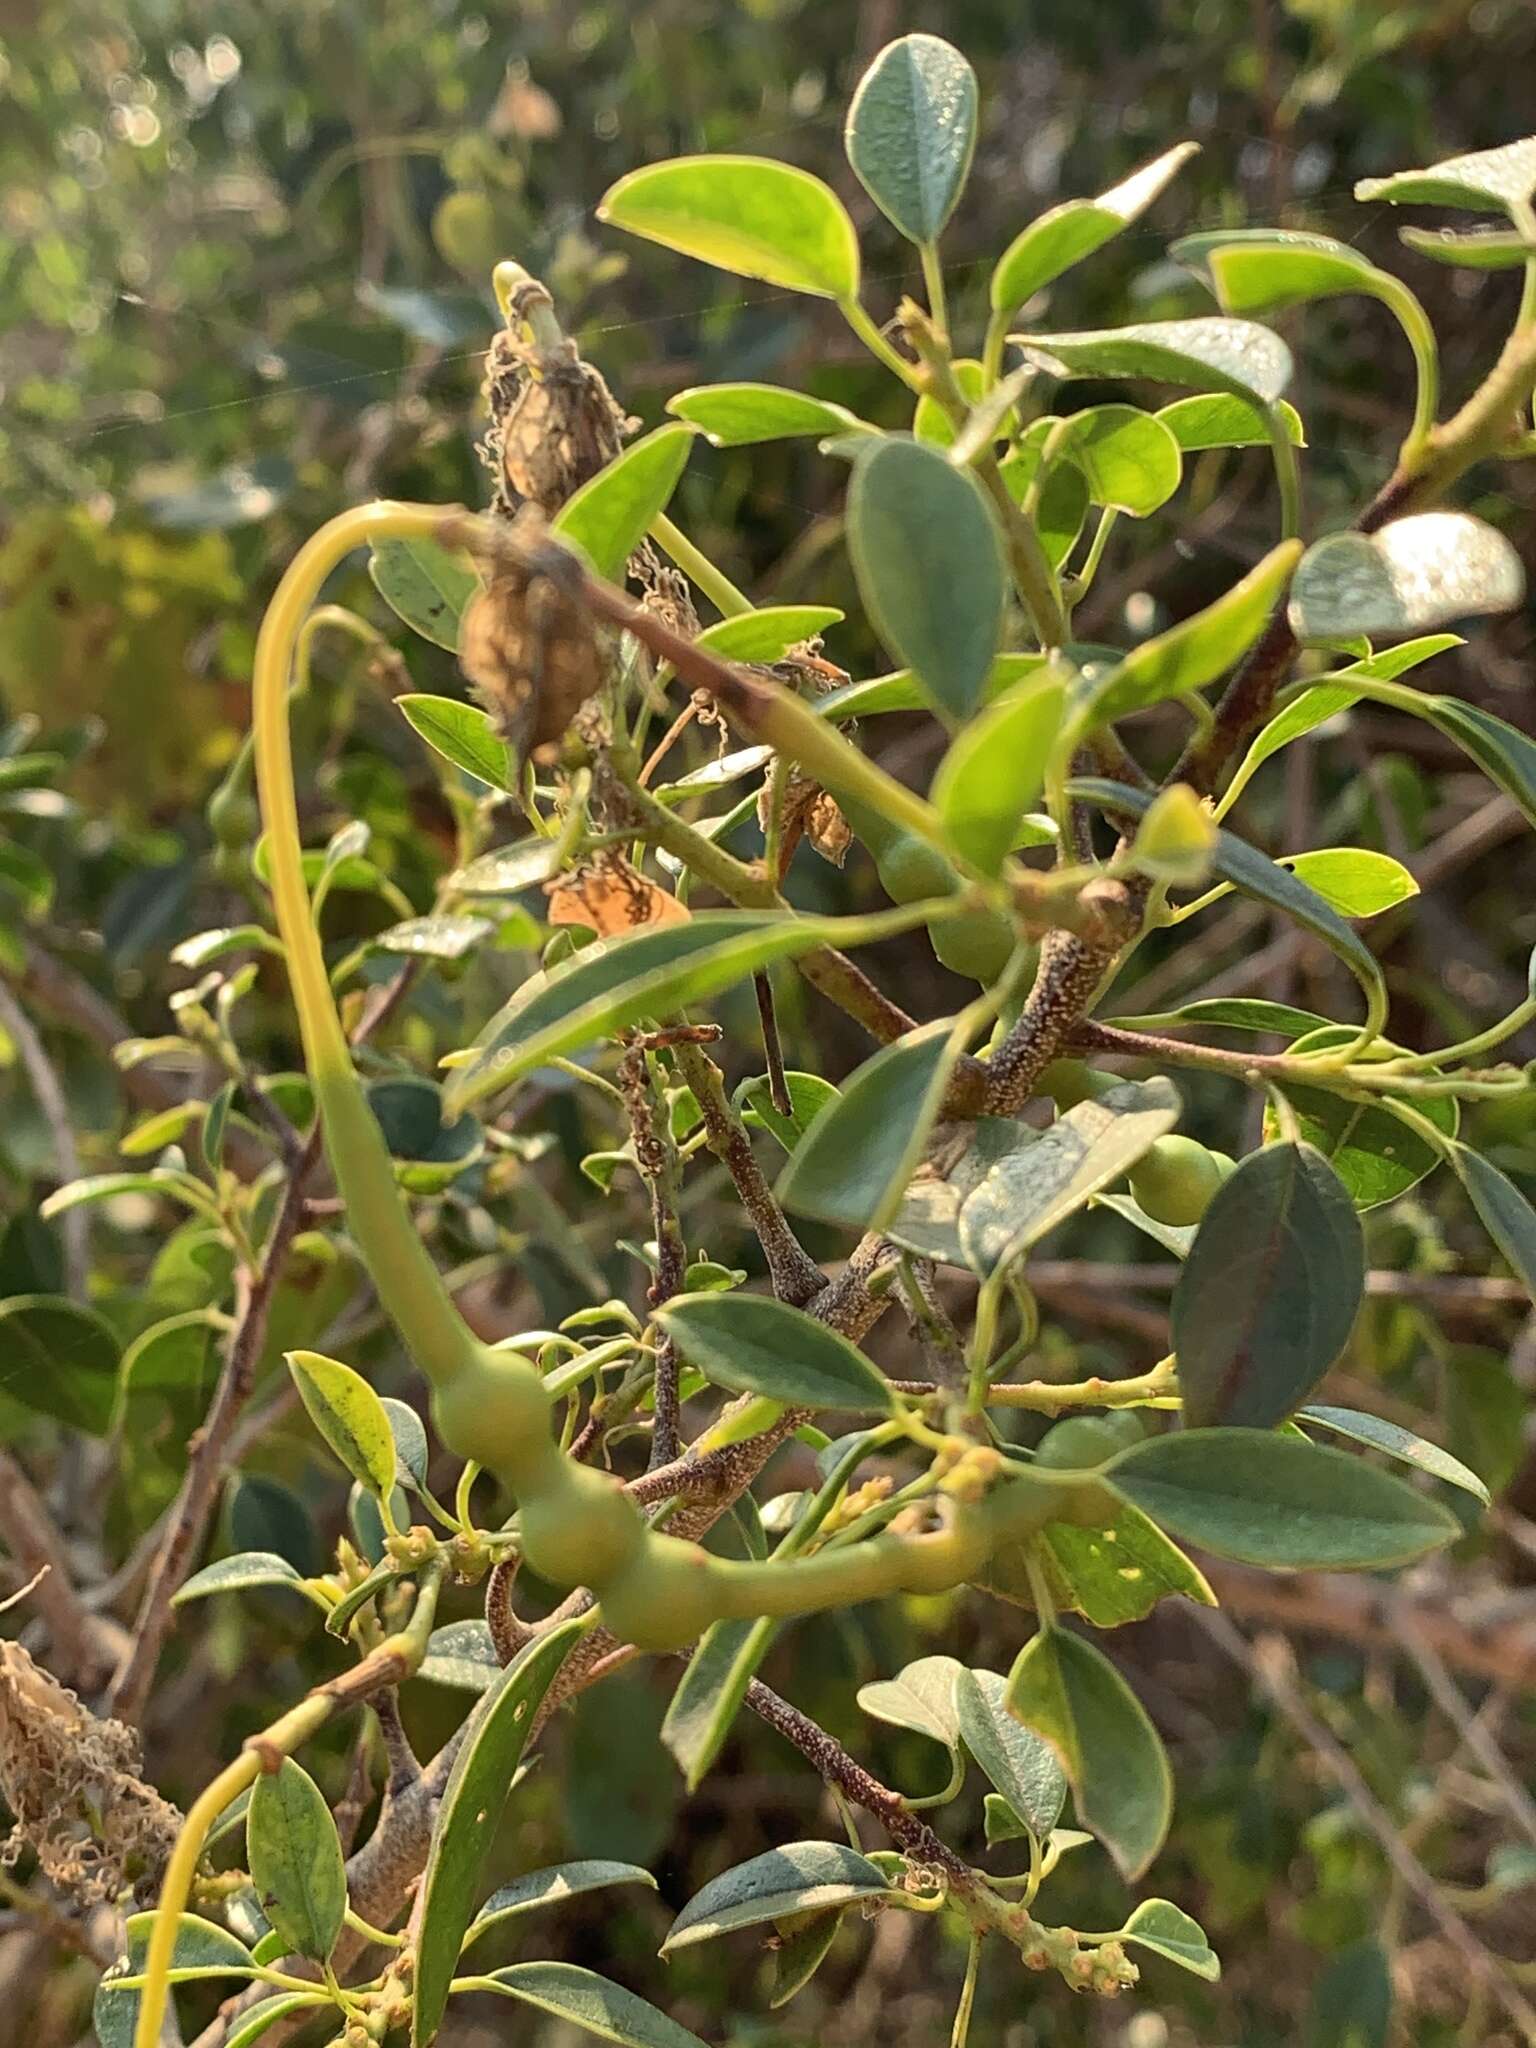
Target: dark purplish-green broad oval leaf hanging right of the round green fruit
(1271, 1289)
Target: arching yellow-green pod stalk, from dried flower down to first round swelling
(400, 1265)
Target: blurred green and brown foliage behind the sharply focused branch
(245, 255)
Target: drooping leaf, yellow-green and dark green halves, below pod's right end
(1074, 1699)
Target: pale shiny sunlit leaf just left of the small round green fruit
(1031, 1191)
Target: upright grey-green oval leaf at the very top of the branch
(912, 130)
